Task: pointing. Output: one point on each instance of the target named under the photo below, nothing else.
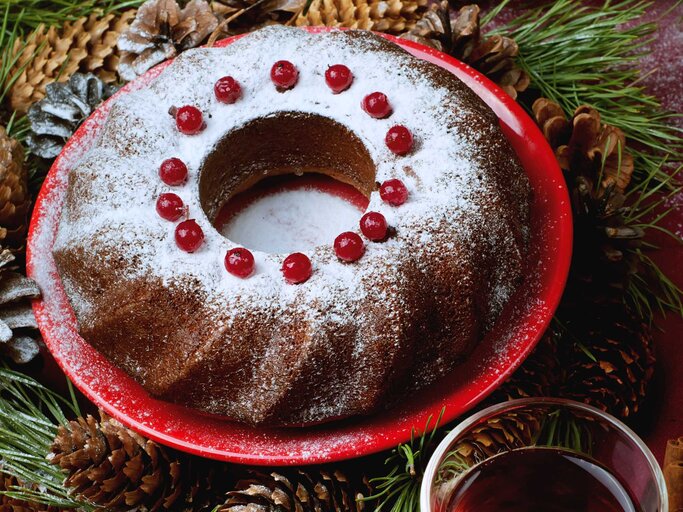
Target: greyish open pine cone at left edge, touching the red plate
(18, 328)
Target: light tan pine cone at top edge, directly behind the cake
(391, 16)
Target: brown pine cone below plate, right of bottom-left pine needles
(117, 469)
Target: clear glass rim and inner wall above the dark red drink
(538, 423)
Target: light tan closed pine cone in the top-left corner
(87, 45)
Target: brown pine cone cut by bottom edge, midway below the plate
(289, 490)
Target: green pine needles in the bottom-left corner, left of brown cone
(30, 415)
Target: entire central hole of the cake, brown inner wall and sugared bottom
(287, 182)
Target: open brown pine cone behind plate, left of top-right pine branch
(494, 56)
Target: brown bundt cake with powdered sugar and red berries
(396, 302)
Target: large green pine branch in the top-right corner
(578, 55)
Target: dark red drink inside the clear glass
(540, 480)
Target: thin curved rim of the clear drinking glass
(445, 444)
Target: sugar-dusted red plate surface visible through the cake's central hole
(290, 213)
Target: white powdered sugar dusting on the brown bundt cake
(116, 185)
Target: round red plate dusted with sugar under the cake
(495, 358)
